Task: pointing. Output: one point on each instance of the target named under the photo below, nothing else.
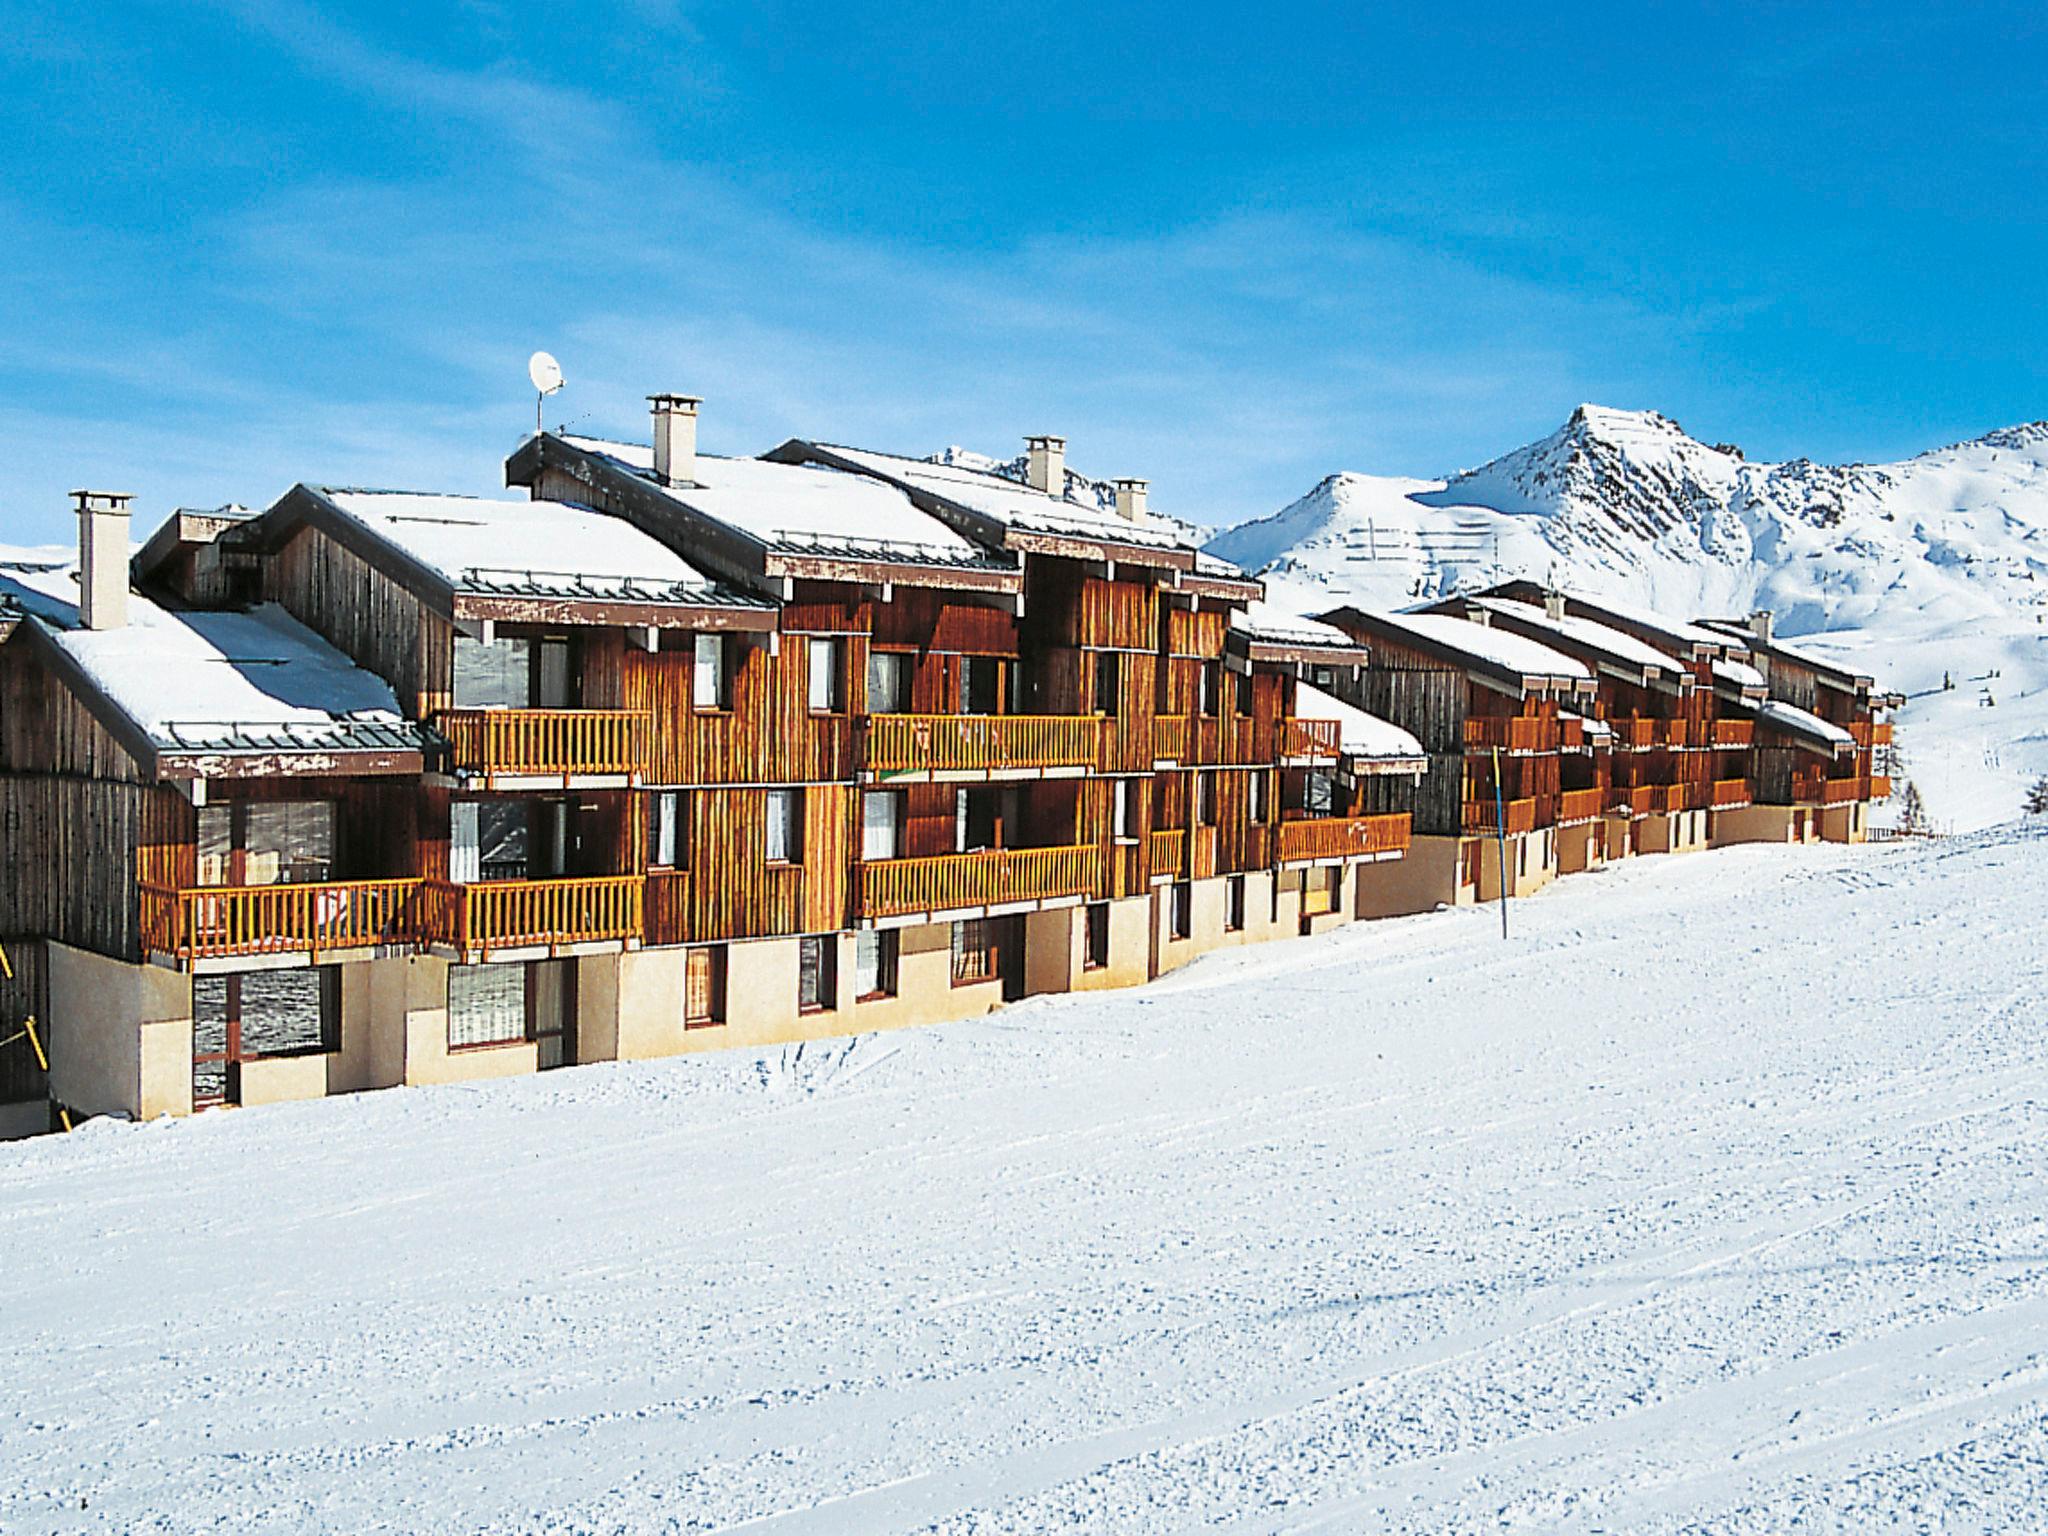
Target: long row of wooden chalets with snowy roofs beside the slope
(388, 787)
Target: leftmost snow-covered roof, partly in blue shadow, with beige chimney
(214, 683)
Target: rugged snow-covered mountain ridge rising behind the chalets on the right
(1629, 505)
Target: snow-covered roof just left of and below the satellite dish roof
(501, 544)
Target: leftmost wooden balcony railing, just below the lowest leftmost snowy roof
(314, 921)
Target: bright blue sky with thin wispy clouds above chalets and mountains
(1226, 249)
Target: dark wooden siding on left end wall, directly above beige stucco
(71, 851)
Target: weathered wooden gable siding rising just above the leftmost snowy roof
(366, 615)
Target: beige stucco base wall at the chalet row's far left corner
(120, 1035)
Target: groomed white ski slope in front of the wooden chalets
(1711, 1201)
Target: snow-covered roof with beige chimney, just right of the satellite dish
(804, 509)
